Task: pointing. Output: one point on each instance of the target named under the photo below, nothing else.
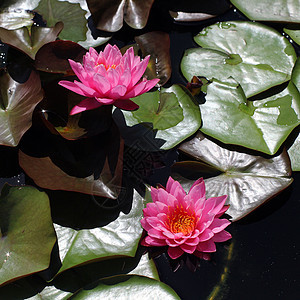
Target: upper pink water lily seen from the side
(109, 78)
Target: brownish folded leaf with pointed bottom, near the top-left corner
(31, 42)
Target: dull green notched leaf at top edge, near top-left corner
(71, 14)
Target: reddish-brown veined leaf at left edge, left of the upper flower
(18, 101)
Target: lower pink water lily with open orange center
(185, 222)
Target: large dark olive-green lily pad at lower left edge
(27, 235)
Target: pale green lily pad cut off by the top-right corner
(270, 10)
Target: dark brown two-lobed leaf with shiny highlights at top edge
(108, 14)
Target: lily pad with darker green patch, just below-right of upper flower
(172, 113)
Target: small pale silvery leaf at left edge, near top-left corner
(15, 18)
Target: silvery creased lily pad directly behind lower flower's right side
(248, 180)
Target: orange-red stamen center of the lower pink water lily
(181, 221)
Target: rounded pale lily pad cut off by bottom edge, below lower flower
(129, 287)
